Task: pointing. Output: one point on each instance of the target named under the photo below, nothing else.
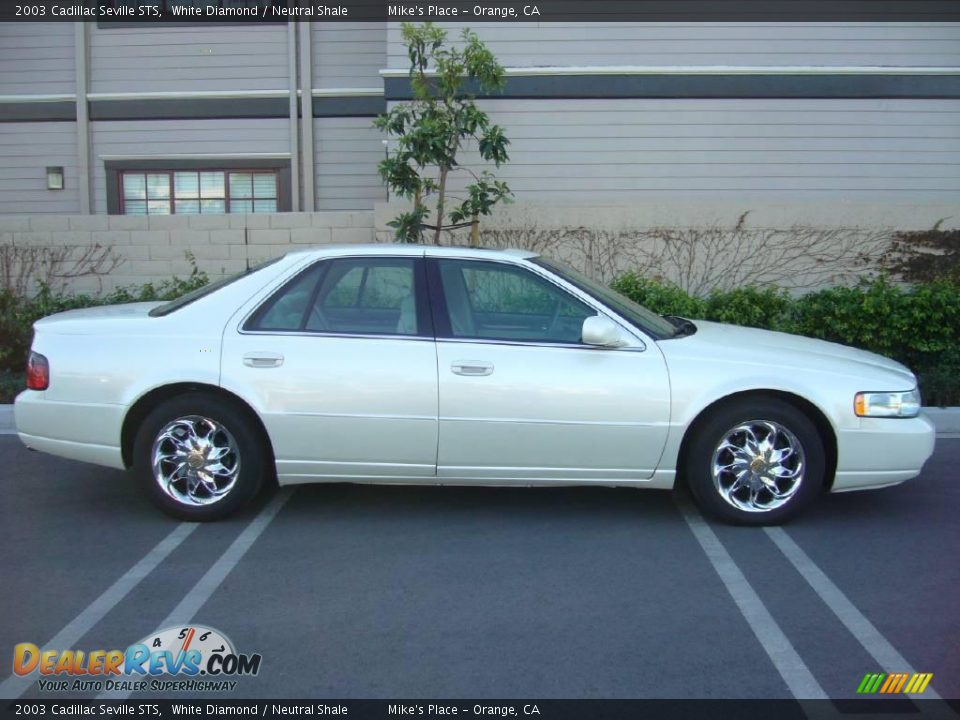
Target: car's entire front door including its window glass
(522, 399)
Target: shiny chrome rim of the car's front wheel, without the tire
(758, 466)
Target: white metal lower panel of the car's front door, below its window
(551, 413)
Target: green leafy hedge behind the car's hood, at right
(919, 326)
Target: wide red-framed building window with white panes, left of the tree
(192, 192)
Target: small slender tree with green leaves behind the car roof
(431, 130)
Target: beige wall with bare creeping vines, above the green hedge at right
(799, 245)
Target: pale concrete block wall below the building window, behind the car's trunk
(153, 249)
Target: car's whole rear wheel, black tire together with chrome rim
(199, 457)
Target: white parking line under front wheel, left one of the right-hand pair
(795, 673)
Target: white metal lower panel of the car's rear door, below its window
(342, 406)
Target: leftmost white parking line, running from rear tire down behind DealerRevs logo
(15, 685)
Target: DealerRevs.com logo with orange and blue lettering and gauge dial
(200, 657)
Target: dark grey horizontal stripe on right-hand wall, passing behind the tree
(713, 86)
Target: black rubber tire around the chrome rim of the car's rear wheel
(242, 437)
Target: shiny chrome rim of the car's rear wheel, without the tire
(195, 460)
